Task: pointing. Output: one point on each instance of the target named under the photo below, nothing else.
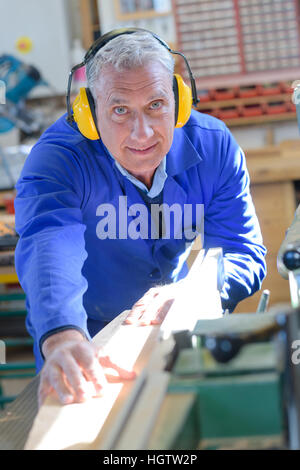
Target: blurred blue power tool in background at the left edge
(19, 79)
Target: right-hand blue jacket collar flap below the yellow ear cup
(182, 154)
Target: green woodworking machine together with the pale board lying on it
(204, 381)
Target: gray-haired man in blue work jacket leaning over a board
(84, 210)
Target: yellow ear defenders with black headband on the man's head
(84, 107)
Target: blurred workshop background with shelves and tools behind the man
(245, 58)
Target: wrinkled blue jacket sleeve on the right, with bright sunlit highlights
(231, 223)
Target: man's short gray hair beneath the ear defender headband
(125, 52)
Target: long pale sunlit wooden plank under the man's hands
(96, 424)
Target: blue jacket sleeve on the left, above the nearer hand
(51, 250)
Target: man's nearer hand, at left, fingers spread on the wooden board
(73, 368)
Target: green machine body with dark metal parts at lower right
(246, 363)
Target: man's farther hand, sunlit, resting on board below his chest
(152, 308)
